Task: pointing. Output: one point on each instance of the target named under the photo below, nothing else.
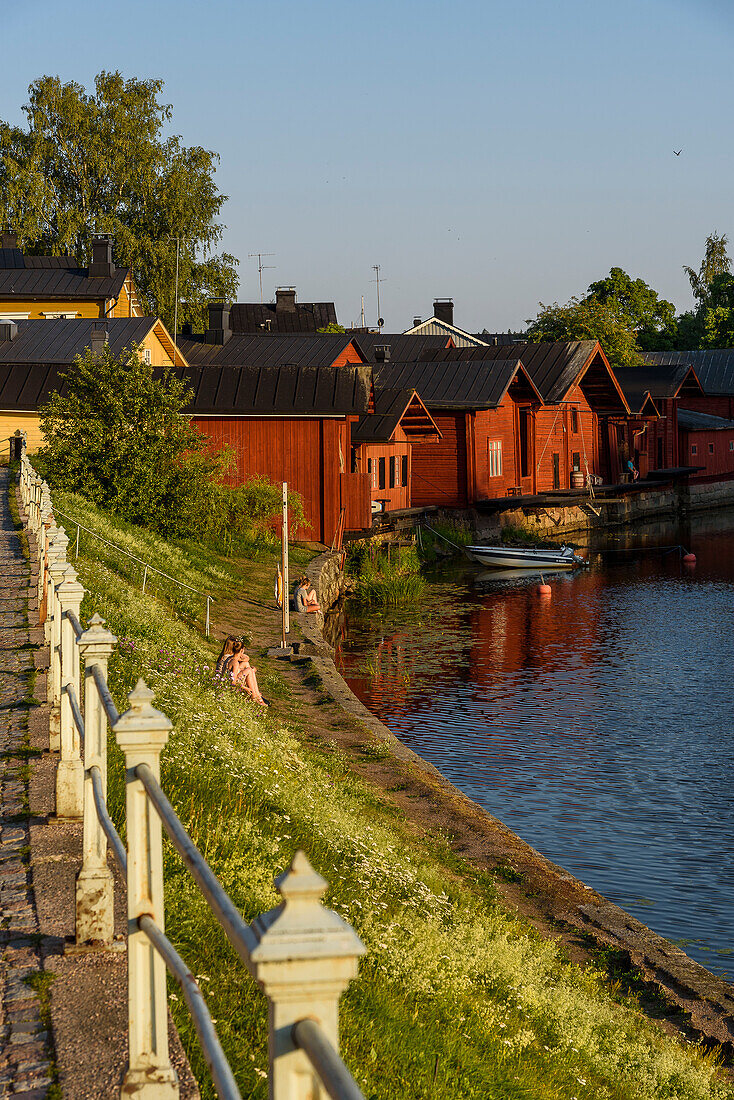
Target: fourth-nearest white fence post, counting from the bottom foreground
(70, 773)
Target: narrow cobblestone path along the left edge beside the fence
(25, 1063)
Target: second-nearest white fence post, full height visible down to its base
(143, 733)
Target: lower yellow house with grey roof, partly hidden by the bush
(35, 354)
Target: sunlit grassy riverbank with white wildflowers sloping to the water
(457, 998)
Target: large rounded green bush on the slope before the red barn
(119, 436)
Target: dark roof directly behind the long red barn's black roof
(246, 350)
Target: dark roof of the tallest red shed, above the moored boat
(554, 368)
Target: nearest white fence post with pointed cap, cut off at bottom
(305, 959)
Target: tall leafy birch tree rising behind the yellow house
(101, 162)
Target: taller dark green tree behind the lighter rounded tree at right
(639, 309)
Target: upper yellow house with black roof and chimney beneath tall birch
(56, 288)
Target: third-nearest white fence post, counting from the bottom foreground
(95, 912)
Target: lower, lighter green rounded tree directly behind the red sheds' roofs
(588, 320)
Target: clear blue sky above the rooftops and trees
(500, 153)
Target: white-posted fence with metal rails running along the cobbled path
(302, 954)
